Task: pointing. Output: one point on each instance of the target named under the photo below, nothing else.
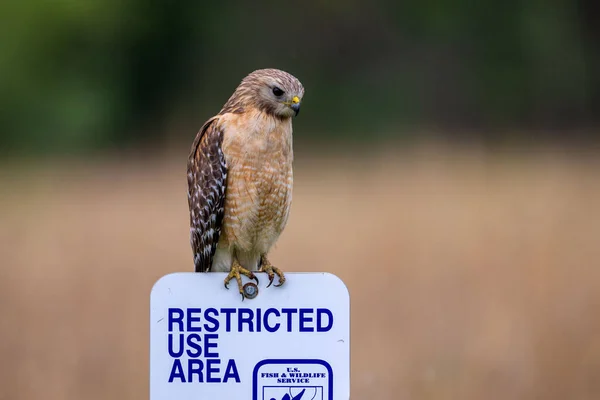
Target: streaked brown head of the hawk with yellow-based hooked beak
(272, 91)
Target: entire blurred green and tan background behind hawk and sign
(446, 169)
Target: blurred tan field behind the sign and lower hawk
(472, 275)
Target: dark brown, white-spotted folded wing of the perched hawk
(207, 181)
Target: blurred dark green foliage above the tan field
(91, 74)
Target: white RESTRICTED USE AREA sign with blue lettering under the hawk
(287, 343)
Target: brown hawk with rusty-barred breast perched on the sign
(239, 176)
